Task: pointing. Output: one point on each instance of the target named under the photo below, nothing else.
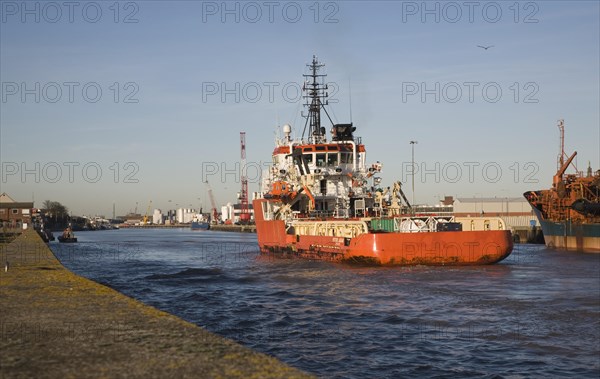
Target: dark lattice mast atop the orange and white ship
(315, 96)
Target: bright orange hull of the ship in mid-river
(426, 248)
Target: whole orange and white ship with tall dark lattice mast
(321, 200)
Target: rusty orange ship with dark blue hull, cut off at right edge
(569, 212)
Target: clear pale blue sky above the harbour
(155, 132)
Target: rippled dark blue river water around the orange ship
(537, 313)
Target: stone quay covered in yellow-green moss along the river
(57, 324)
